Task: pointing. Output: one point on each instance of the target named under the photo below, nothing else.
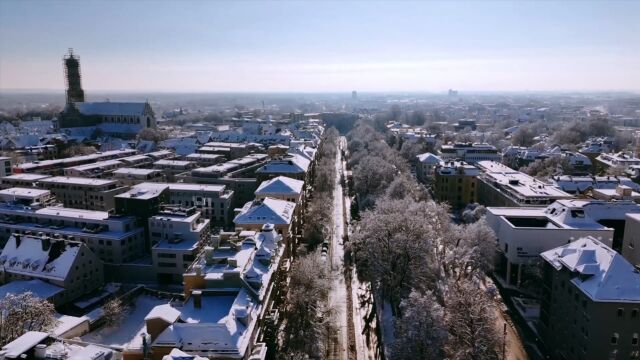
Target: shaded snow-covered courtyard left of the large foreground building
(128, 333)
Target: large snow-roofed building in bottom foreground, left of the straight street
(228, 293)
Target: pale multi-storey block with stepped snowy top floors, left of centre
(177, 235)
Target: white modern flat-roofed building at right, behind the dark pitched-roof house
(523, 233)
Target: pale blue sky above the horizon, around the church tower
(323, 46)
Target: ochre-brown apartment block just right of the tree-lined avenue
(456, 183)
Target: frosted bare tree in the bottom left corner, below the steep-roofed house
(24, 312)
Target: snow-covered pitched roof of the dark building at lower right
(604, 274)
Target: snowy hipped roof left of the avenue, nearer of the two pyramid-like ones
(269, 210)
